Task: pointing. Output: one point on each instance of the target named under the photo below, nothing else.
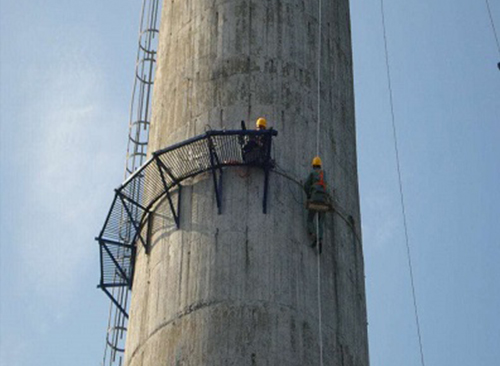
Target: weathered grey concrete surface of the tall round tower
(241, 287)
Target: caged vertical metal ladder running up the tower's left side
(140, 117)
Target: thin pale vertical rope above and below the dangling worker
(318, 240)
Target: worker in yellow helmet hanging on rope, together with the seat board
(318, 203)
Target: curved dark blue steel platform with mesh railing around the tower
(162, 174)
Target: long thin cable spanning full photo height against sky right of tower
(398, 165)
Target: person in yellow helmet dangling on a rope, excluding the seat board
(315, 188)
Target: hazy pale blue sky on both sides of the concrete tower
(66, 77)
